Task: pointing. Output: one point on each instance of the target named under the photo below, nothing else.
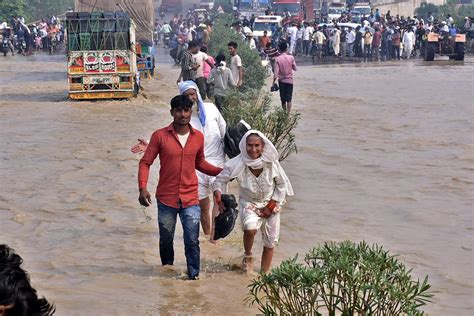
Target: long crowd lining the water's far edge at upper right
(377, 36)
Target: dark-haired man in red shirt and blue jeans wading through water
(181, 151)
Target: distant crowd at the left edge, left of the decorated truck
(26, 38)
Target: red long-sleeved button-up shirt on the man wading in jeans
(178, 180)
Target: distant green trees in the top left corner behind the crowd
(33, 10)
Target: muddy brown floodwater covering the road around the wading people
(385, 154)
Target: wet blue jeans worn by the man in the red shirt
(190, 218)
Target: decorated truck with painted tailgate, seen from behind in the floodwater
(101, 55)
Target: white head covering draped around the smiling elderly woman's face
(269, 154)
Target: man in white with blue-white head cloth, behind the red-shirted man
(207, 119)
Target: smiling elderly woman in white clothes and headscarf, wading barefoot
(263, 187)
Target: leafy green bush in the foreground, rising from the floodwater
(344, 278)
